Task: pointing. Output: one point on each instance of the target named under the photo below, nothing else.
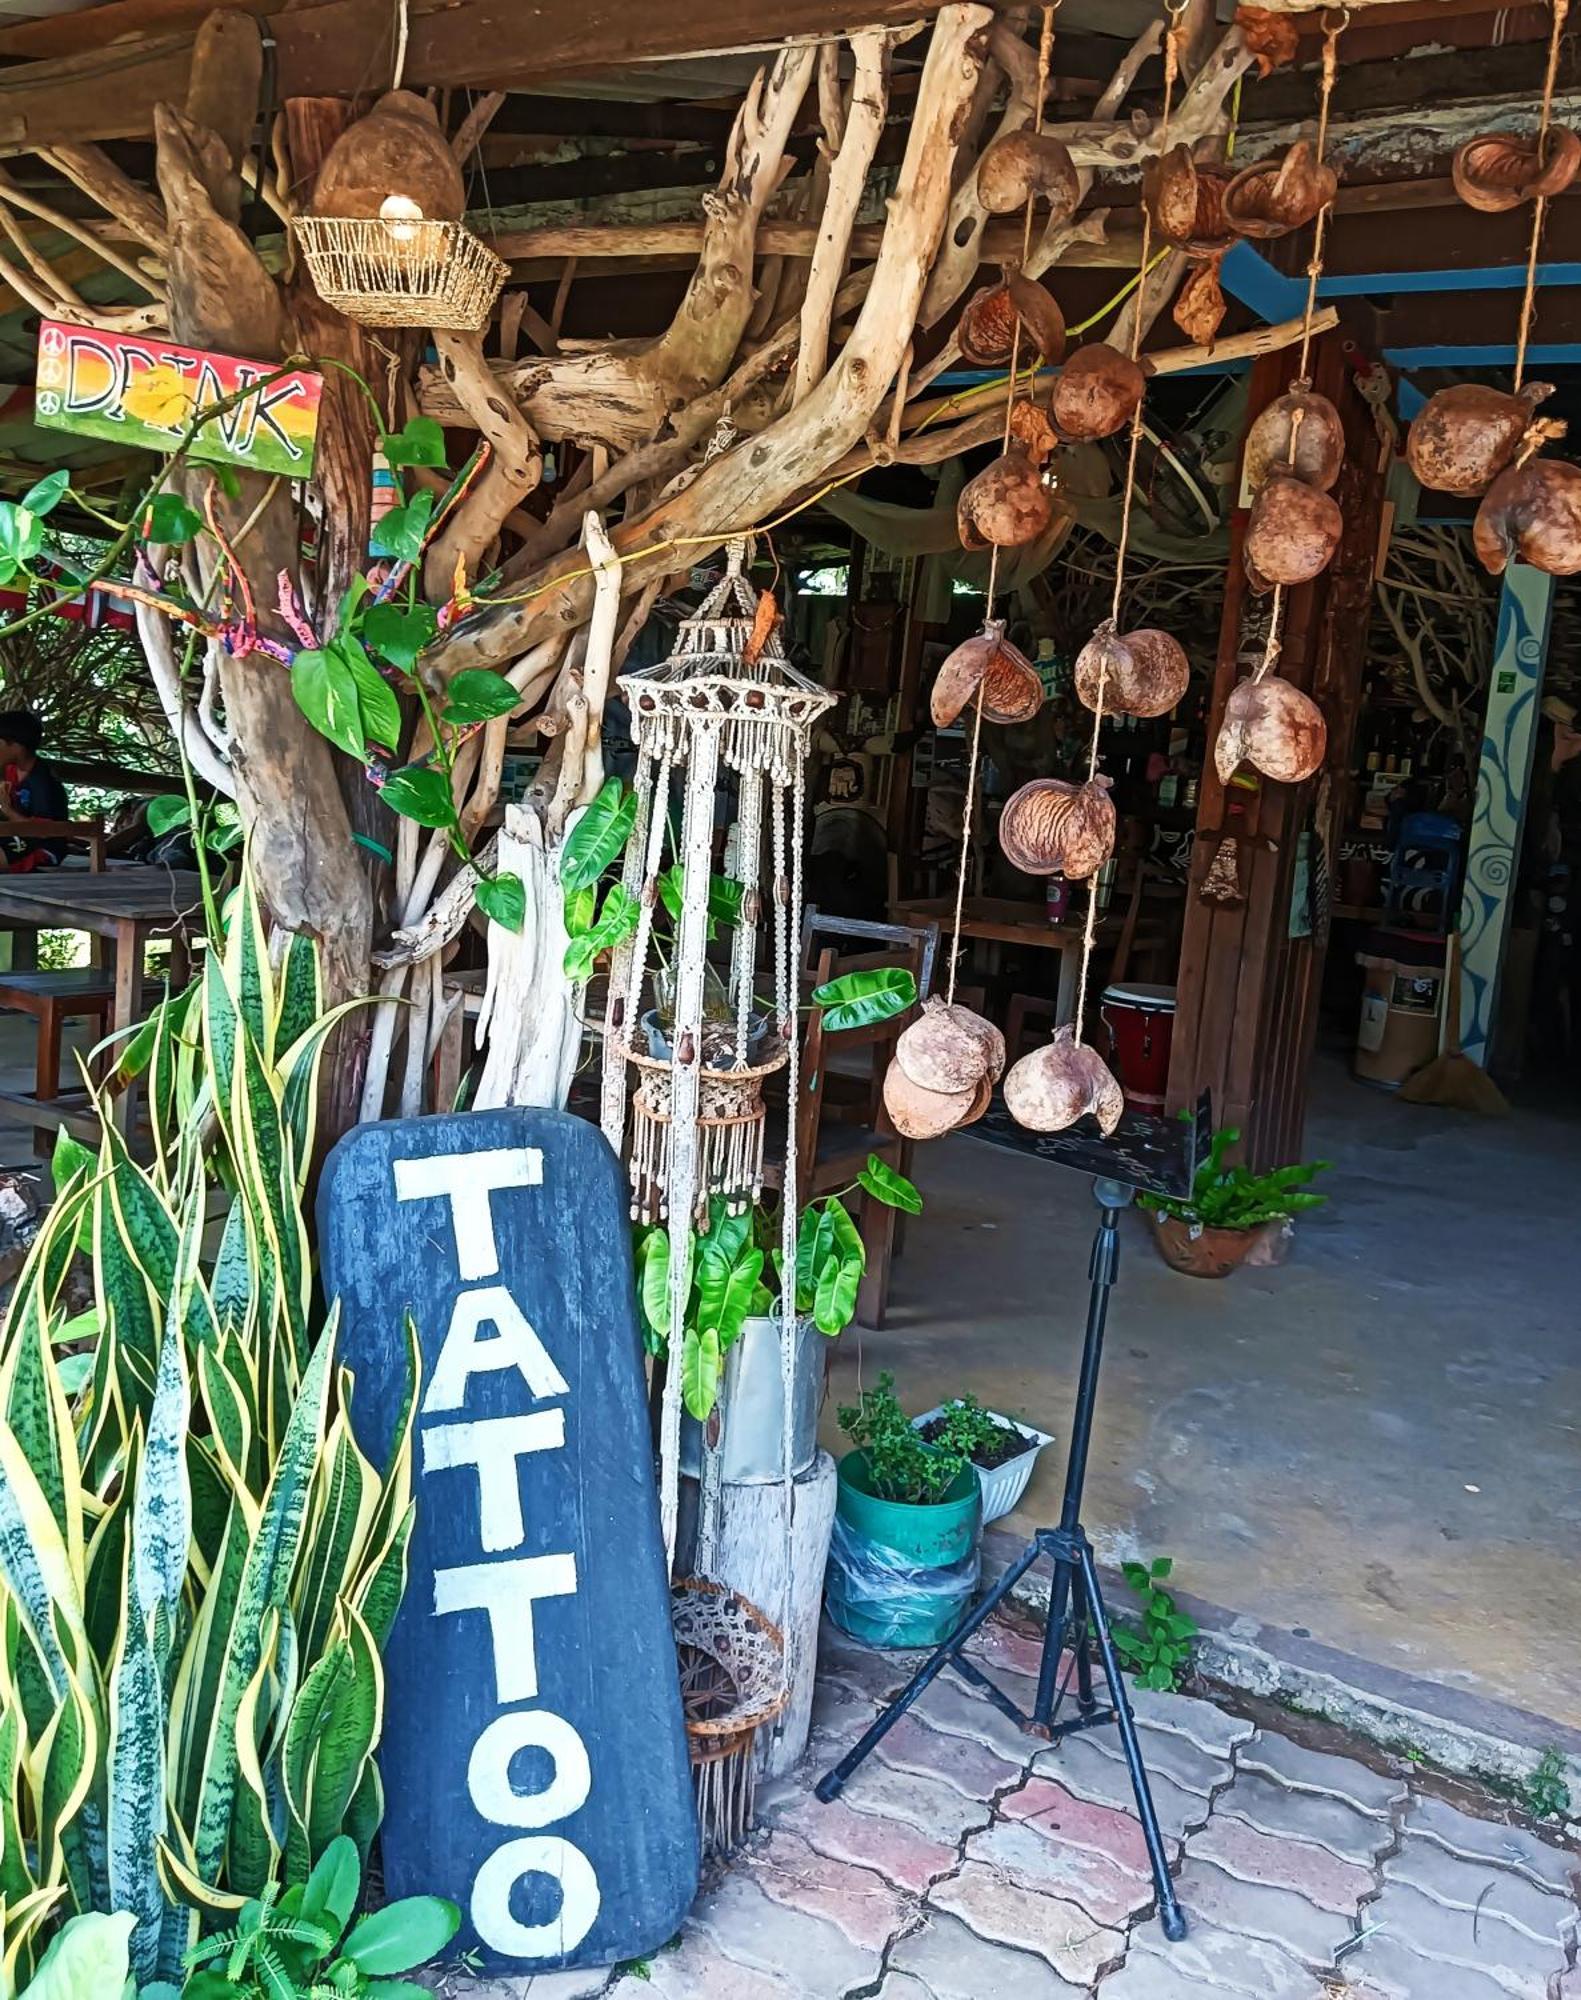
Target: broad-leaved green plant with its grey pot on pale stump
(731, 1335)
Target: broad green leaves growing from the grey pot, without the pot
(737, 1277)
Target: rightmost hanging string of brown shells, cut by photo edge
(1476, 439)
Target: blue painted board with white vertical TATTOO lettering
(535, 1759)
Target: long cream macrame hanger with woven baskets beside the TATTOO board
(725, 701)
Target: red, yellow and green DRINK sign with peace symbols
(149, 393)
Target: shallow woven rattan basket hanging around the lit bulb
(401, 273)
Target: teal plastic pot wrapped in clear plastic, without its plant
(902, 1575)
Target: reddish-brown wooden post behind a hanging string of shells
(1248, 991)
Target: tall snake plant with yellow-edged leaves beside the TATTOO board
(197, 1563)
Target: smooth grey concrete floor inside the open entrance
(1376, 1445)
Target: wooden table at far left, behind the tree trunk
(125, 905)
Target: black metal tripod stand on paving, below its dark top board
(1076, 1603)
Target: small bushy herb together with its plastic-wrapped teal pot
(904, 1561)
